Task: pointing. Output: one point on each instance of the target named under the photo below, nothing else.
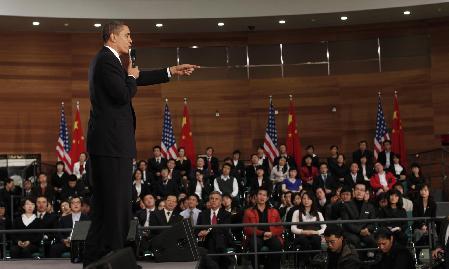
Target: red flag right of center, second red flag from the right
(293, 143)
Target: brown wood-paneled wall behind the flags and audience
(38, 71)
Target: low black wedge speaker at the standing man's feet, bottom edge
(120, 259)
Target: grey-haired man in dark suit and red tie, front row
(216, 240)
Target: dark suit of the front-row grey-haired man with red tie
(218, 239)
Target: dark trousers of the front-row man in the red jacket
(273, 261)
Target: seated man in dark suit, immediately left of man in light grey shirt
(166, 216)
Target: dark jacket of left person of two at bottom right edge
(346, 259)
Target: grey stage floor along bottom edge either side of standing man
(48, 264)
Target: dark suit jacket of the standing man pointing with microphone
(112, 119)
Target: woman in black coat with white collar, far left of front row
(25, 244)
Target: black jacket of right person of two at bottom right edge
(398, 258)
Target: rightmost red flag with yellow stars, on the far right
(397, 137)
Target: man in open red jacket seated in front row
(269, 236)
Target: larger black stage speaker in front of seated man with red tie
(176, 244)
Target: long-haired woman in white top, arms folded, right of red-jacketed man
(308, 237)
